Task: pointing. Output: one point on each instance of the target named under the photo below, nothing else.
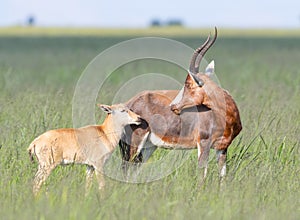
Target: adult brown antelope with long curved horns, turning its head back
(206, 117)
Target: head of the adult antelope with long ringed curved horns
(197, 85)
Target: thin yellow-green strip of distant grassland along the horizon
(155, 31)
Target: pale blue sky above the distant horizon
(134, 13)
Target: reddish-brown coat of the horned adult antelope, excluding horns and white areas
(211, 124)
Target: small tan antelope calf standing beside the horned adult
(90, 145)
